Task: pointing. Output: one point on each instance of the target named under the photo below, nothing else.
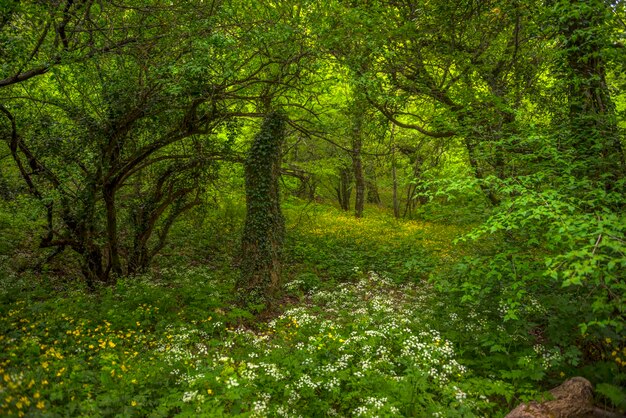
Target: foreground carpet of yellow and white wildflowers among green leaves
(358, 349)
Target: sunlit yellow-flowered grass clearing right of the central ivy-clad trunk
(332, 241)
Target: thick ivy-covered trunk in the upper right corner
(594, 135)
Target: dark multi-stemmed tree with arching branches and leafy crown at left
(141, 116)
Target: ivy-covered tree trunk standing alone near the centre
(264, 227)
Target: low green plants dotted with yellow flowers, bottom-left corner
(85, 354)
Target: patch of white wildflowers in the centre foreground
(350, 339)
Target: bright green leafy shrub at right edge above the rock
(556, 275)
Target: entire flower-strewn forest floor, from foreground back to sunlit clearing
(363, 330)
